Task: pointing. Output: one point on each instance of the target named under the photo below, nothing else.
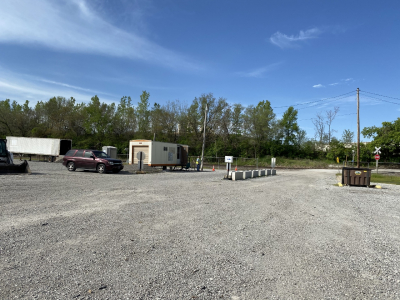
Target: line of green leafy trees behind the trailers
(231, 129)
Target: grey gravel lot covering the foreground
(190, 235)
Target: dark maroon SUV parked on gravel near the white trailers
(91, 159)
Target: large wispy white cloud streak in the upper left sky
(75, 27)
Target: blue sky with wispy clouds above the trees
(287, 52)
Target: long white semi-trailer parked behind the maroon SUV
(38, 146)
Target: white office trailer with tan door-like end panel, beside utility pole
(158, 153)
